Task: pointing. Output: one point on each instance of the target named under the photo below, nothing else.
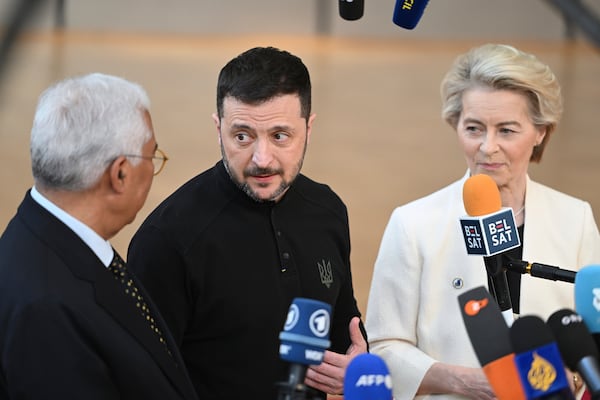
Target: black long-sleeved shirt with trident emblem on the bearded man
(223, 270)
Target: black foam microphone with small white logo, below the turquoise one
(577, 347)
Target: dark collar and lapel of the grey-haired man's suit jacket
(84, 264)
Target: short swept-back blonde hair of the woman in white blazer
(503, 67)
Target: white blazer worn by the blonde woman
(413, 318)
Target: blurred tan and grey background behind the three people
(378, 139)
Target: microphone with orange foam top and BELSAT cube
(489, 230)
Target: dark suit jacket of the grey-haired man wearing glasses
(67, 330)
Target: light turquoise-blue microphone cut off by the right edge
(587, 299)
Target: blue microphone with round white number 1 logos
(304, 339)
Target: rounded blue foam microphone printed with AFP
(367, 378)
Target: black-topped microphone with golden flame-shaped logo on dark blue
(538, 360)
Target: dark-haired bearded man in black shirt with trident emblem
(224, 256)
